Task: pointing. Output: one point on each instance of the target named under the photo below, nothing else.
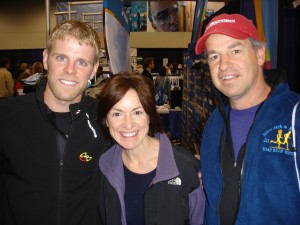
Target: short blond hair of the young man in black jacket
(78, 30)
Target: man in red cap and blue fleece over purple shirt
(250, 168)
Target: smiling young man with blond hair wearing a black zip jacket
(50, 142)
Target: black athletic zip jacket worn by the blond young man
(38, 185)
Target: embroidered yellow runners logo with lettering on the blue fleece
(278, 140)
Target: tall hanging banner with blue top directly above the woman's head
(116, 36)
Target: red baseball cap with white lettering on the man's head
(233, 25)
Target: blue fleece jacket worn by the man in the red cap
(269, 191)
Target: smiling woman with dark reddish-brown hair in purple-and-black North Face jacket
(145, 180)
